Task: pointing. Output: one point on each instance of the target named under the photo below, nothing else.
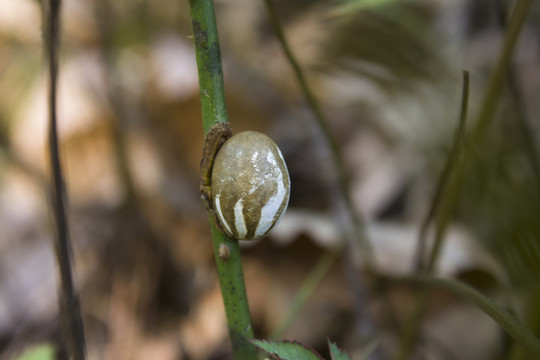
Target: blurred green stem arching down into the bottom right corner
(509, 323)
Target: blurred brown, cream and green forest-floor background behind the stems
(388, 75)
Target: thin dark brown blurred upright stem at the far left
(70, 314)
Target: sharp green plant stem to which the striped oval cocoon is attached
(212, 93)
